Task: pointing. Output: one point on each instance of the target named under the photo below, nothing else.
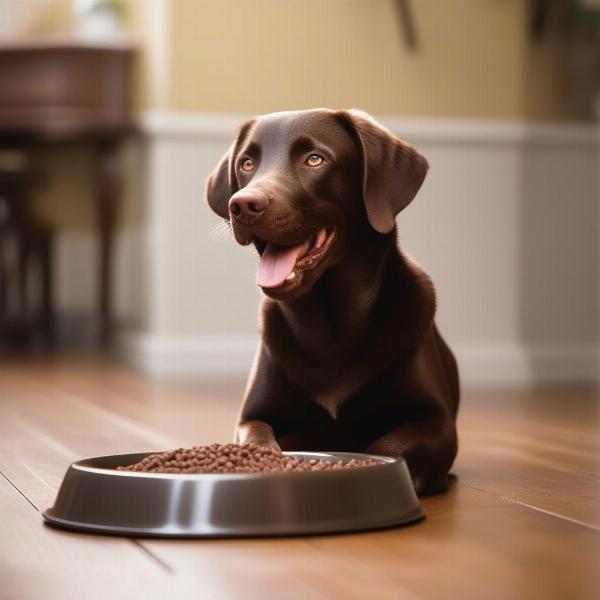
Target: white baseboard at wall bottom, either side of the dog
(496, 365)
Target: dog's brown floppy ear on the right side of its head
(393, 171)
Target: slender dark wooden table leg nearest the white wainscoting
(108, 188)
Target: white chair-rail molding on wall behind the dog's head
(222, 126)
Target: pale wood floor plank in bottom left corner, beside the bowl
(40, 562)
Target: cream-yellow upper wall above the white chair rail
(474, 58)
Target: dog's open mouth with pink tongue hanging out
(281, 265)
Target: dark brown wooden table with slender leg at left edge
(62, 91)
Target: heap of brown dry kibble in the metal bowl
(234, 458)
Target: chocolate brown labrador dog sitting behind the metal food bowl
(350, 357)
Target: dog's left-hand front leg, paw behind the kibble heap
(268, 403)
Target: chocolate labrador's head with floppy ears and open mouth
(301, 186)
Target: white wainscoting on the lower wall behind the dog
(507, 223)
